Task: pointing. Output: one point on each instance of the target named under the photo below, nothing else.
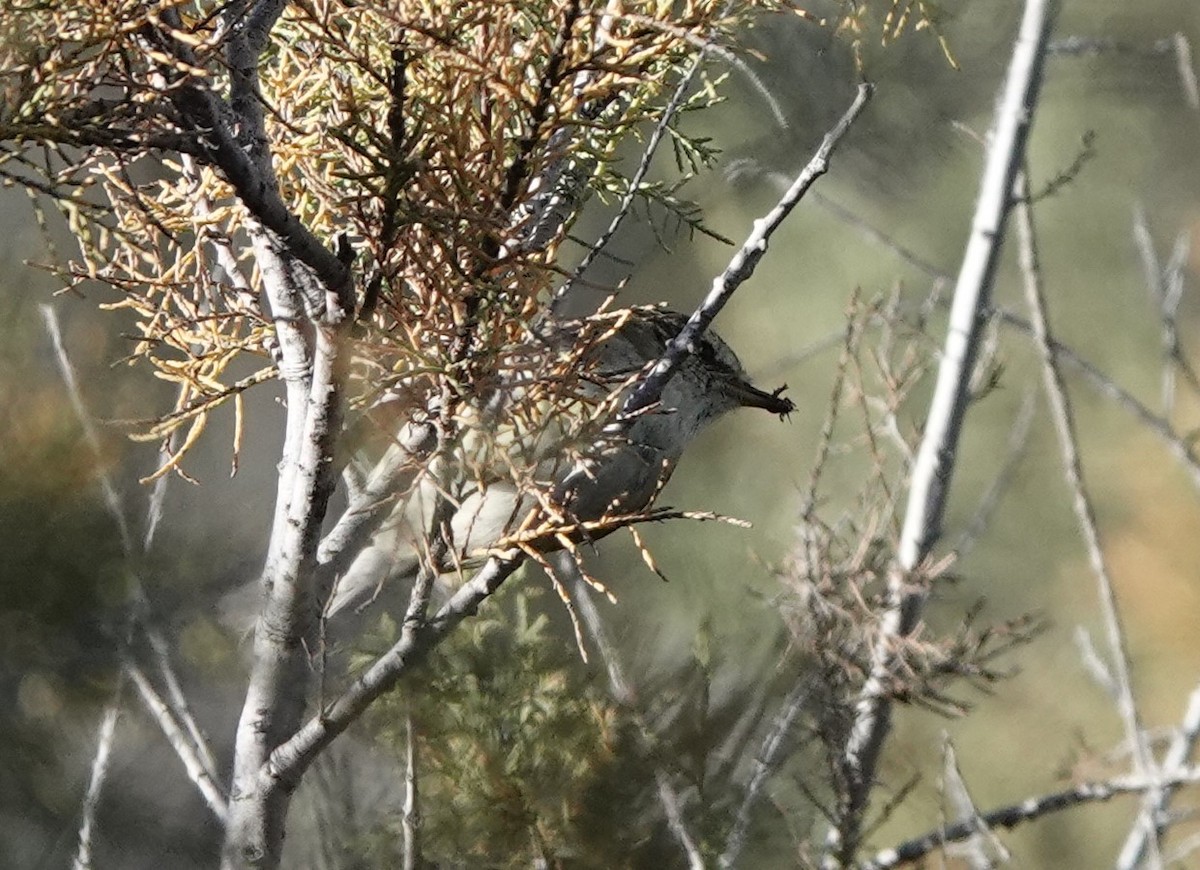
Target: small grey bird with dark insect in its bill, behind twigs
(513, 469)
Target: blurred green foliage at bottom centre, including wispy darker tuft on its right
(524, 757)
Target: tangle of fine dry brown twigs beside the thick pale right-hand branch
(839, 581)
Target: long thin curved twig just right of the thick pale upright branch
(1085, 513)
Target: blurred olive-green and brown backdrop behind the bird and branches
(909, 172)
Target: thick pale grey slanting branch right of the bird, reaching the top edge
(935, 460)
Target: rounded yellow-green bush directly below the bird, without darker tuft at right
(511, 734)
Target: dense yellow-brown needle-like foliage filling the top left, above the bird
(416, 135)
